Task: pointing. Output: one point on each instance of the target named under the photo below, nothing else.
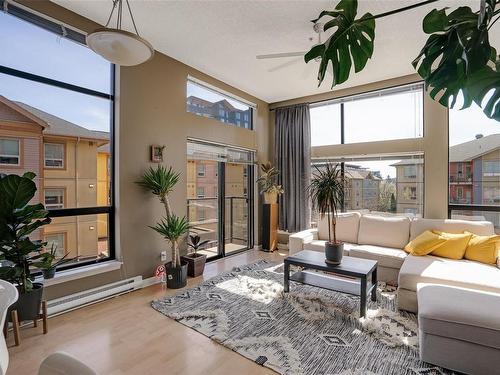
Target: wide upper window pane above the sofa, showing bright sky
(395, 113)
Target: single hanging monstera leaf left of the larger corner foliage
(350, 44)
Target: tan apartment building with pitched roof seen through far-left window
(72, 168)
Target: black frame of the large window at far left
(78, 37)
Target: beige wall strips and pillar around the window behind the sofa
(434, 144)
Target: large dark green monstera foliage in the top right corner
(455, 57)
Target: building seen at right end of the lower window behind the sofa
(410, 186)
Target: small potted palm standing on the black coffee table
(327, 195)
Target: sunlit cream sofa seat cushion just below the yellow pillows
(461, 273)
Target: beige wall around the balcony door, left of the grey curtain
(151, 102)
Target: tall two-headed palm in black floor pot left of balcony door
(160, 181)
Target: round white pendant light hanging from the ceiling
(119, 46)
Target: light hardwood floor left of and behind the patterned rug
(125, 335)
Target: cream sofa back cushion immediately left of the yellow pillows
(384, 231)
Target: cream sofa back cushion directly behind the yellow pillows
(482, 228)
